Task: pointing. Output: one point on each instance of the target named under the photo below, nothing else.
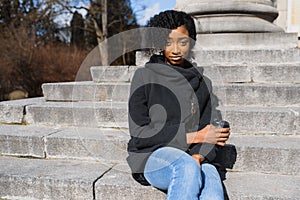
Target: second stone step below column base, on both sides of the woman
(220, 73)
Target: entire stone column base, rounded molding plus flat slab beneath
(237, 24)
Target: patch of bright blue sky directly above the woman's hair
(151, 7)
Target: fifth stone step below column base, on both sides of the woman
(255, 153)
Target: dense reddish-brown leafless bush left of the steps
(26, 66)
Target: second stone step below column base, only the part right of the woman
(221, 73)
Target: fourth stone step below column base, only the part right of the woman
(263, 120)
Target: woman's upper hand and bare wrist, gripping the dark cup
(209, 134)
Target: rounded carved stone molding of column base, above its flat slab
(231, 16)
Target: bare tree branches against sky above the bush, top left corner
(36, 16)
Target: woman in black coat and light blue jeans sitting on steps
(173, 145)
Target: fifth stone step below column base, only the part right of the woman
(266, 154)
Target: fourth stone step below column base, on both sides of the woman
(261, 120)
